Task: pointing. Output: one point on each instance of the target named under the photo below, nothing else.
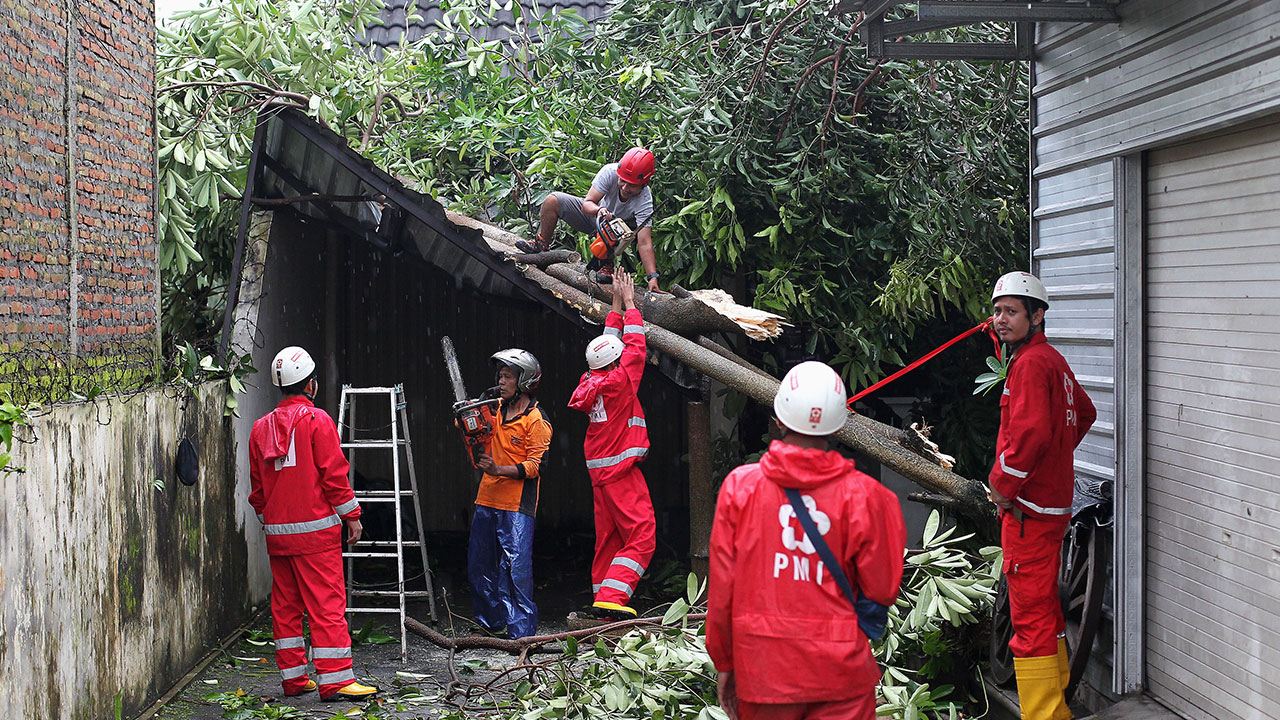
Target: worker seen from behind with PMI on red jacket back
(789, 641)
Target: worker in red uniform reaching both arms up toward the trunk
(618, 441)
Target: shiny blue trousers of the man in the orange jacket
(501, 571)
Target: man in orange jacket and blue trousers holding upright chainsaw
(501, 546)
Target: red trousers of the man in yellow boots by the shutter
(1032, 559)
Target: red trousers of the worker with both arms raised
(625, 537)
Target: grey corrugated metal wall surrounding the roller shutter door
(1103, 97)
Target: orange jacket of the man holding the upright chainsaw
(522, 441)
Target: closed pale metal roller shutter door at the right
(1213, 414)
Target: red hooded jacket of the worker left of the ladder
(299, 479)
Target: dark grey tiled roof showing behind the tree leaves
(396, 29)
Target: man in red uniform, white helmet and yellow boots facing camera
(1044, 416)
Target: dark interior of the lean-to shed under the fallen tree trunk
(372, 286)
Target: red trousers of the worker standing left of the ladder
(313, 585)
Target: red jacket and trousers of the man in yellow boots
(1044, 416)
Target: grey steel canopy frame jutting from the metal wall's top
(885, 38)
